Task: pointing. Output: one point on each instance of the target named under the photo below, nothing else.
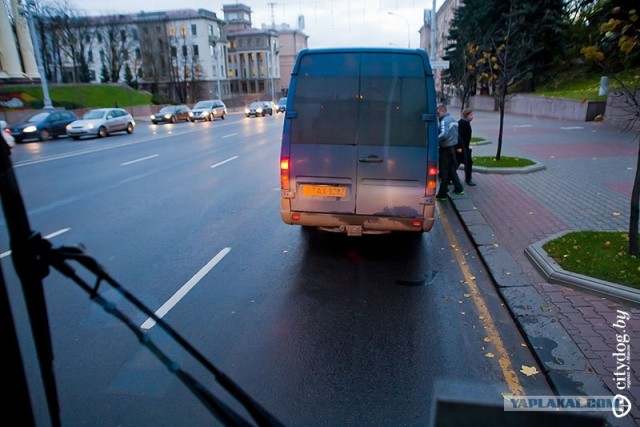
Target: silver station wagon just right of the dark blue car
(101, 122)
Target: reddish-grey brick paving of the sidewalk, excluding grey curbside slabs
(586, 186)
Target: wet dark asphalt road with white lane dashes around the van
(320, 329)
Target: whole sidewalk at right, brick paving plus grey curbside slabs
(585, 184)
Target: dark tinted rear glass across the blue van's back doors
(360, 98)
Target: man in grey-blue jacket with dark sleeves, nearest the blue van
(447, 140)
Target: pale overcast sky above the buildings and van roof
(328, 23)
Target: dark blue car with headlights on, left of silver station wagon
(43, 125)
